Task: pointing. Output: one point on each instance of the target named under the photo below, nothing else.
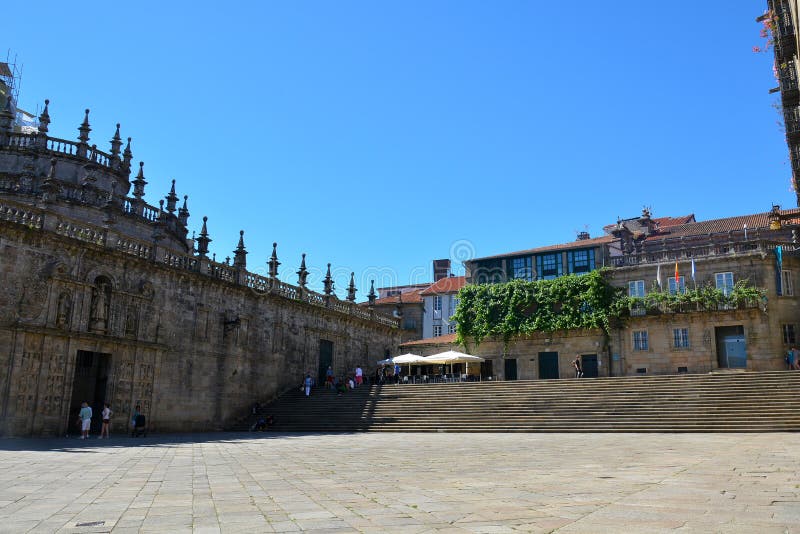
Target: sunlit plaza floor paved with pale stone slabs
(403, 483)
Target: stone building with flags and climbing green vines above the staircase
(646, 254)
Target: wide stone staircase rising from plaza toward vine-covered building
(719, 402)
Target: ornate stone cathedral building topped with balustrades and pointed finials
(106, 300)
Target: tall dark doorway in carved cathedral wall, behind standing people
(90, 385)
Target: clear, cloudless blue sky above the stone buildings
(378, 136)
